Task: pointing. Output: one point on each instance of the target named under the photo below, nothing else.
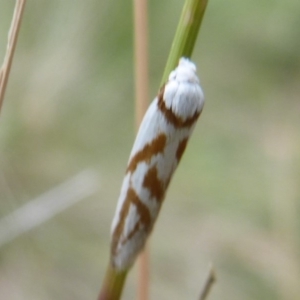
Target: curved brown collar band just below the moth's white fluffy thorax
(176, 121)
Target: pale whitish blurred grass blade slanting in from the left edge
(48, 205)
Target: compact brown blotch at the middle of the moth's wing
(154, 184)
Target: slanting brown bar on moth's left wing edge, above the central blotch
(155, 147)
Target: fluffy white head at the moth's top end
(185, 72)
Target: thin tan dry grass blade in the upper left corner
(11, 46)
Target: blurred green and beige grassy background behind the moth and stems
(234, 200)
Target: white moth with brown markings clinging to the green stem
(158, 147)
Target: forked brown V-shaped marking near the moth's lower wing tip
(144, 214)
